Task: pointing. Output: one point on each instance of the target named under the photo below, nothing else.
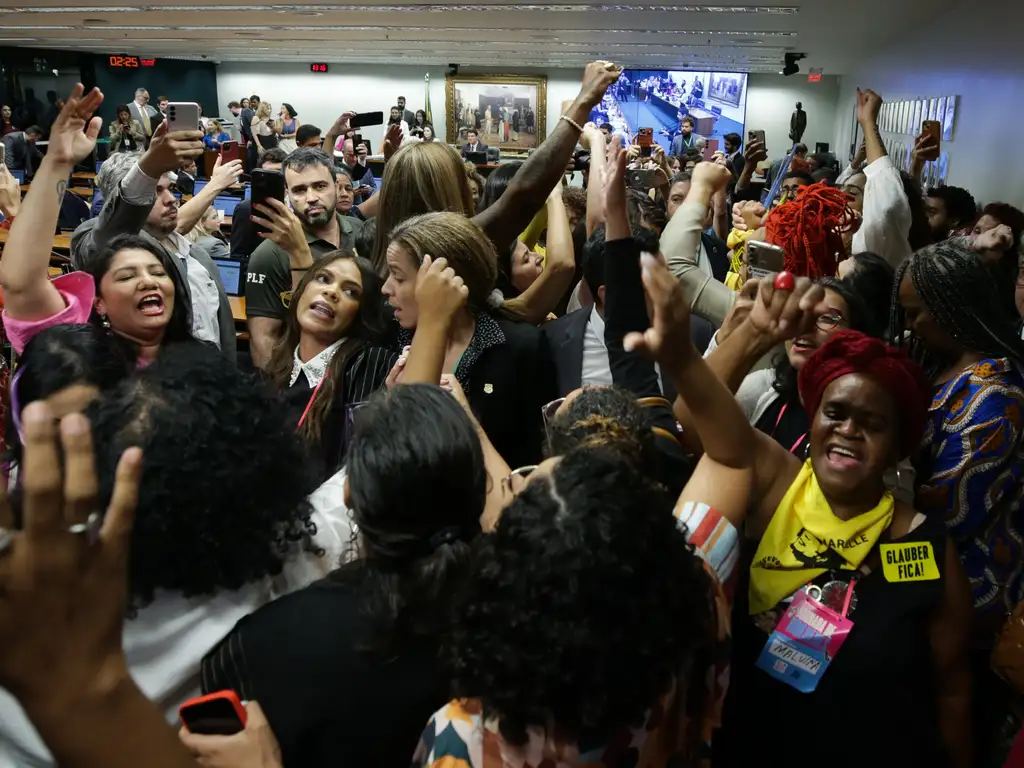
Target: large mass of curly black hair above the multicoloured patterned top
(584, 606)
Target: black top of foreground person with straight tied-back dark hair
(329, 702)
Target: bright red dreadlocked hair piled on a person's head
(810, 230)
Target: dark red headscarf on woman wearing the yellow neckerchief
(855, 353)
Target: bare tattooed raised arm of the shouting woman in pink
(29, 295)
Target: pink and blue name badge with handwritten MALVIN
(805, 643)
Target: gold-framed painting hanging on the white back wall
(507, 111)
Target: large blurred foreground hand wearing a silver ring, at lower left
(65, 595)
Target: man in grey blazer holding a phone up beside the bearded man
(139, 201)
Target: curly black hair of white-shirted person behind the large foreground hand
(223, 501)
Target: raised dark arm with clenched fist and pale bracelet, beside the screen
(514, 211)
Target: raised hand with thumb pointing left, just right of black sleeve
(668, 340)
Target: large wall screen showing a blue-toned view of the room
(660, 99)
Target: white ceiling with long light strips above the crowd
(835, 34)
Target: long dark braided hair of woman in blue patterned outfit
(961, 294)
